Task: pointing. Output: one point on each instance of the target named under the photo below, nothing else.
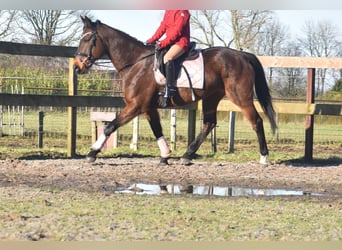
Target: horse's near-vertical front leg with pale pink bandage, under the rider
(153, 118)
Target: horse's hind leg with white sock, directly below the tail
(257, 124)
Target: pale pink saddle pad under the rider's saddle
(194, 69)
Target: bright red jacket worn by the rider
(176, 26)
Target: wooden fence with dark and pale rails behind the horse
(309, 108)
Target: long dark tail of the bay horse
(262, 91)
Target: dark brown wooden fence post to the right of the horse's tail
(309, 120)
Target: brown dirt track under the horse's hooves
(107, 174)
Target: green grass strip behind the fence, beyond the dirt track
(25, 148)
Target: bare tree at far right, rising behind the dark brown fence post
(320, 39)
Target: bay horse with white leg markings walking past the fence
(227, 72)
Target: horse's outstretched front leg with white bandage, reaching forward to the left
(126, 115)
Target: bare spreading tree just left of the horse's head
(51, 27)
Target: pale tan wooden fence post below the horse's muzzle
(72, 111)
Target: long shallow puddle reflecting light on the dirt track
(152, 189)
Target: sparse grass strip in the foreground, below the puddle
(37, 214)
